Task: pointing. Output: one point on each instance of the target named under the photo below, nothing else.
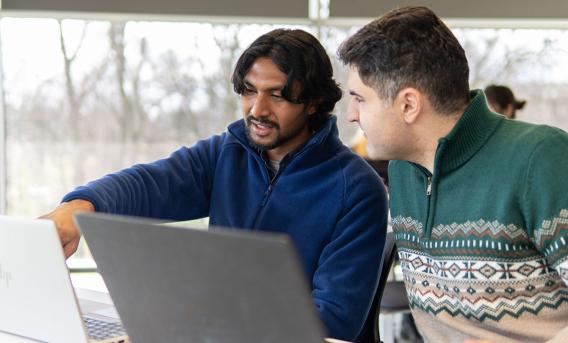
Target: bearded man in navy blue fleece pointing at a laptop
(281, 169)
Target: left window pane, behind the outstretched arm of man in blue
(85, 98)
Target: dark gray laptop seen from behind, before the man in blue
(175, 284)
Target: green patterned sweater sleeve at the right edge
(546, 200)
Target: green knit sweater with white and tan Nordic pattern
(483, 241)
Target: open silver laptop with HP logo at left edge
(37, 299)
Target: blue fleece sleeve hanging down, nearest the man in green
(347, 274)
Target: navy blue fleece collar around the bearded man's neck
(328, 132)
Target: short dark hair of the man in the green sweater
(410, 47)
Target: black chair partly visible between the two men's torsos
(389, 297)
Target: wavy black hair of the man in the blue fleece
(302, 58)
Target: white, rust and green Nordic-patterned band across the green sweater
(478, 287)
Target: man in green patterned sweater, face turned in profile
(479, 203)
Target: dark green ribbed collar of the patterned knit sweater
(469, 134)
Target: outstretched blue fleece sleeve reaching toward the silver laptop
(175, 188)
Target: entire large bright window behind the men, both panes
(84, 98)
